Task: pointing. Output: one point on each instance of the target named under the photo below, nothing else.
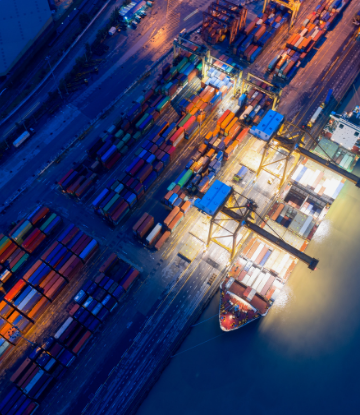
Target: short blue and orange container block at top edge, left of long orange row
(260, 32)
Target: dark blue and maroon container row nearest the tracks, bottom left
(36, 376)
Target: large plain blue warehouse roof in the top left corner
(21, 22)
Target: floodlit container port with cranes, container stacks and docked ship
(216, 176)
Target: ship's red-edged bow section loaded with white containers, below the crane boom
(253, 283)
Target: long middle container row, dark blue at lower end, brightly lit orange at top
(157, 151)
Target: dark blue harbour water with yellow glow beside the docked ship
(302, 358)
